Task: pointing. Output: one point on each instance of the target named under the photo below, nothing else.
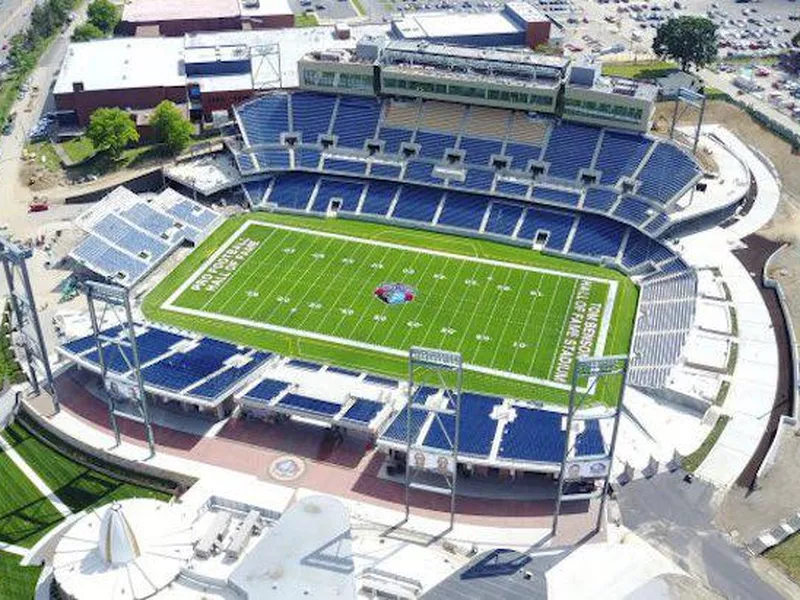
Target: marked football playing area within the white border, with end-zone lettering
(508, 319)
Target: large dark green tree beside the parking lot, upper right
(689, 40)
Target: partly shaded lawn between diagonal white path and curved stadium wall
(77, 486)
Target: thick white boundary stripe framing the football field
(169, 304)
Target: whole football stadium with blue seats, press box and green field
(250, 364)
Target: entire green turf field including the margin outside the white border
(304, 287)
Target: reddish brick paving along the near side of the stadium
(348, 470)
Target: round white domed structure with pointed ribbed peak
(128, 550)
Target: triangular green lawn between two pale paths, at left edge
(25, 515)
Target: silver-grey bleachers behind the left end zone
(128, 235)
